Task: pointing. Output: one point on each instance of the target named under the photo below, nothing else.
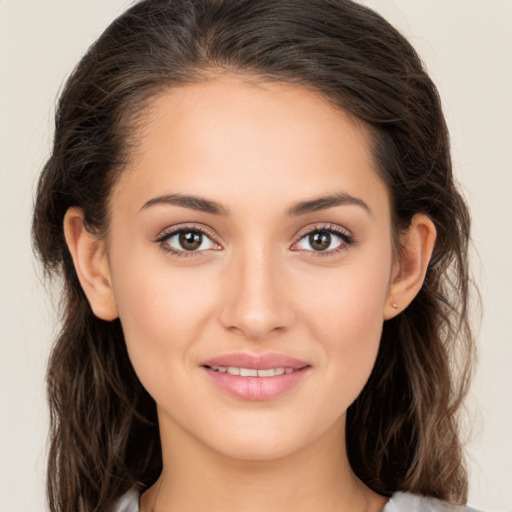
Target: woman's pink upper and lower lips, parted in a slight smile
(256, 388)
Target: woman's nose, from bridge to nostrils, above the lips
(257, 302)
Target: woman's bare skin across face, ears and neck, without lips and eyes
(256, 285)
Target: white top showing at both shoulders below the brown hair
(399, 502)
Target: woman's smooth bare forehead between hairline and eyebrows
(230, 138)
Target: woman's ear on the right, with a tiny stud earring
(416, 247)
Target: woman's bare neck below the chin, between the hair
(318, 477)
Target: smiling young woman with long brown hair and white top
(264, 261)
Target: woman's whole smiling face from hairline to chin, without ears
(250, 230)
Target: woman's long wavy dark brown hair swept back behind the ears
(402, 431)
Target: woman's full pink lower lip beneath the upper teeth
(256, 388)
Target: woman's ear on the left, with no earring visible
(91, 264)
